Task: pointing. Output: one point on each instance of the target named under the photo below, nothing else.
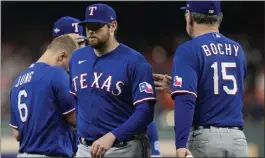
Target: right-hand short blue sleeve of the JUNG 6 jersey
(60, 84)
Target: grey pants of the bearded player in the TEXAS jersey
(136, 148)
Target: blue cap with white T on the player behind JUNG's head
(66, 25)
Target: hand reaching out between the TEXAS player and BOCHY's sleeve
(162, 82)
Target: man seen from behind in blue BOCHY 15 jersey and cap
(208, 81)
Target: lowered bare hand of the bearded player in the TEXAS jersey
(102, 145)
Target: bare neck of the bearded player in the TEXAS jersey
(107, 48)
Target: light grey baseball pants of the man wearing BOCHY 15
(217, 142)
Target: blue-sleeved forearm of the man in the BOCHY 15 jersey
(184, 110)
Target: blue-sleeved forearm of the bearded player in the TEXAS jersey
(137, 123)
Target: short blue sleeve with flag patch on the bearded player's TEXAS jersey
(142, 83)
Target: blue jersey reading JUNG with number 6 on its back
(39, 99)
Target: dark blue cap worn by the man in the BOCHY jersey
(203, 7)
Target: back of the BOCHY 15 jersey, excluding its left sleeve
(221, 73)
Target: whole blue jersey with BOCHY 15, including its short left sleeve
(212, 68)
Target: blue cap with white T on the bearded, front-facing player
(99, 13)
